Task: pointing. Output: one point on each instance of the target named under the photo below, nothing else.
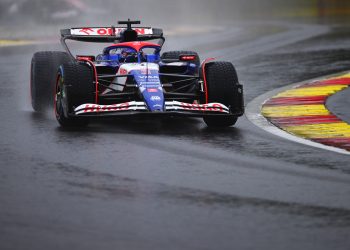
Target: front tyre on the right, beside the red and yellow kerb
(221, 79)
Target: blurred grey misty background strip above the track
(23, 15)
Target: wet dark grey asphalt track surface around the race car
(174, 184)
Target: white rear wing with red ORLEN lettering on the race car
(112, 34)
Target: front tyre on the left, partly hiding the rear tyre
(74, 86)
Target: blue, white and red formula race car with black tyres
(130, 77)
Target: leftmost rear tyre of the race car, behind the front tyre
(44, 66)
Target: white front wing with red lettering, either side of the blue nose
(133, 108)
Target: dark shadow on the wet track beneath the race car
(192, 130)
